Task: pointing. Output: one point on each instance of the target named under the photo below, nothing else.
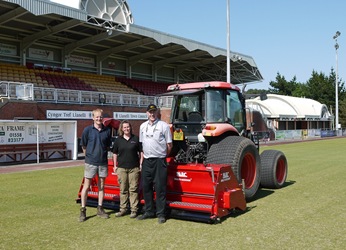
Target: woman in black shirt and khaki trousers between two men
(127, 158)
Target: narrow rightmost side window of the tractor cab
(235, 111)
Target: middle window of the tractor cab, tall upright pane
(215, 106)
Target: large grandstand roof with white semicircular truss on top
(105, 33)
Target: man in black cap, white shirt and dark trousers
(156, 139)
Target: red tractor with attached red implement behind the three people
(215, 165)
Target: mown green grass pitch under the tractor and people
(38, 211)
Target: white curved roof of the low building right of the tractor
(288, 107)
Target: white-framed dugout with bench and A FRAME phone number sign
(37, 140)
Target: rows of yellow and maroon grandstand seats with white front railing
(50, 84)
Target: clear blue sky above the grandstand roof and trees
(292, 37)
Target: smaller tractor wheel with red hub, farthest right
(273, 169)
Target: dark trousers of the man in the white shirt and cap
(154, 175)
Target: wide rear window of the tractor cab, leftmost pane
(190, 108)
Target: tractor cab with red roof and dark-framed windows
(202, 113)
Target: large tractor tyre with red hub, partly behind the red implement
(241, 153)
